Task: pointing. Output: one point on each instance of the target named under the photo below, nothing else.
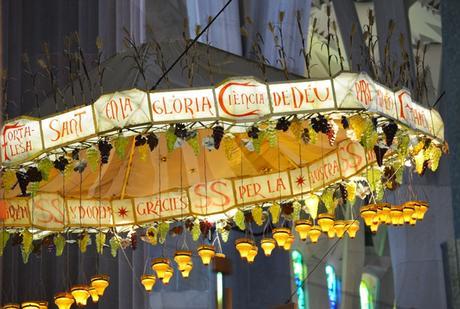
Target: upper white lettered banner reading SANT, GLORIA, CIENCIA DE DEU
(238, 100)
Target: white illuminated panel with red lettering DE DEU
(301, 96)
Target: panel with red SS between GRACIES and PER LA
(212, 197)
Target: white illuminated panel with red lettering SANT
(68, 127)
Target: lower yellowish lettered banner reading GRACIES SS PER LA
(49, 211)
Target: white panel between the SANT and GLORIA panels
(121, 109)
